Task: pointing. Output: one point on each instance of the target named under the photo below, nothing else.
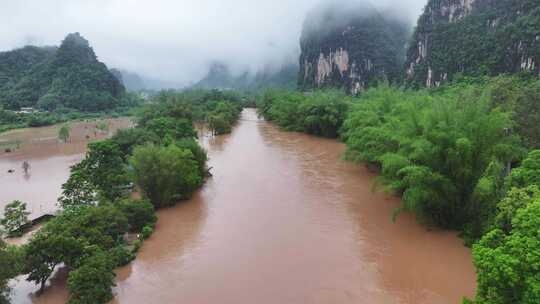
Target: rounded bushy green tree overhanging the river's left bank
(165, 174)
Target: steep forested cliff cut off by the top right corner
(474, 37)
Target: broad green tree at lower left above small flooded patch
(72, 236)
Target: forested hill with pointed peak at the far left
(70, 77)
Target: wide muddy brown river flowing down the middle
(285, 220)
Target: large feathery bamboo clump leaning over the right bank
(444, 152)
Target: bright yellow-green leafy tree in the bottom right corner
(508, 264)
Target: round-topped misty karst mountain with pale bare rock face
(350, 47)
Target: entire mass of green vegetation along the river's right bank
(457, 155)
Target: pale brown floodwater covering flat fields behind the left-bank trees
(49, 161)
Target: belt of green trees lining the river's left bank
(160, 159)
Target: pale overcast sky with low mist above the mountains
(172, 40)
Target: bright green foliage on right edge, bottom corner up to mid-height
(506, 257)
